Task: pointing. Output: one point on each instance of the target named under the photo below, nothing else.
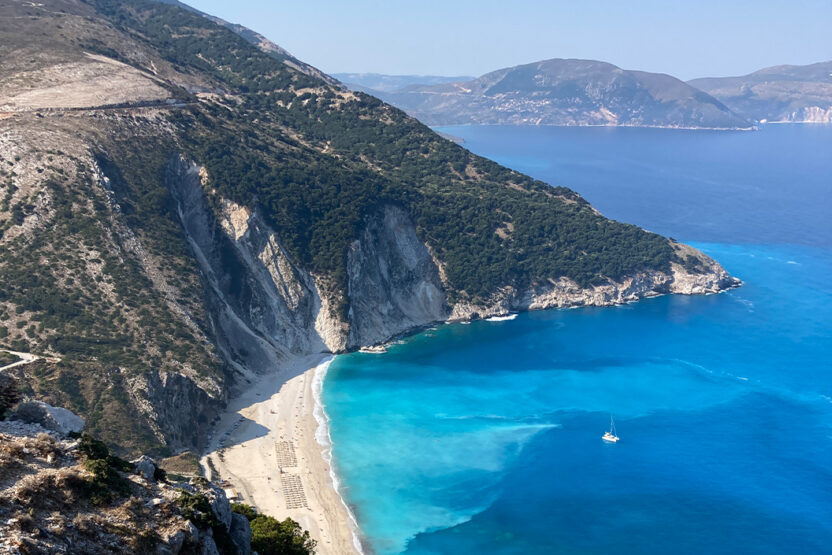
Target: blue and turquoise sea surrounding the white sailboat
(486, 438)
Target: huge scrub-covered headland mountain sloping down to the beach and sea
(182, 211)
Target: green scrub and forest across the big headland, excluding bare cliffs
(103, 276)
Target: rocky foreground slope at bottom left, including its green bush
(64, 492)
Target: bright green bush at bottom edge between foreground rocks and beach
(274, 537)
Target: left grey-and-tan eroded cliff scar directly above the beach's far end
(264, 308)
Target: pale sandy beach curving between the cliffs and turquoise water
(284, 411)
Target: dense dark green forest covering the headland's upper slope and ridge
(347, 155)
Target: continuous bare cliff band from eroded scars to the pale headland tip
(266, 308)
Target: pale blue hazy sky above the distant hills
(470, 37)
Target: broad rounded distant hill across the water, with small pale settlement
(566, 92)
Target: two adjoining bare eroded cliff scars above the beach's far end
(265, 308)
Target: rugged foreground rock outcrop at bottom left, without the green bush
(52, 500)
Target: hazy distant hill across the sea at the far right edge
(786, 93)
